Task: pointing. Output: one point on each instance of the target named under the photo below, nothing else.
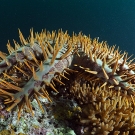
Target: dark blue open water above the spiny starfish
(110, 20)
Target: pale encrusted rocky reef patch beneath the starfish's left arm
(42, 123)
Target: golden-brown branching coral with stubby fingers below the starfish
(104, 110)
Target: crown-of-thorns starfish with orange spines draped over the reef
(44, 58)
